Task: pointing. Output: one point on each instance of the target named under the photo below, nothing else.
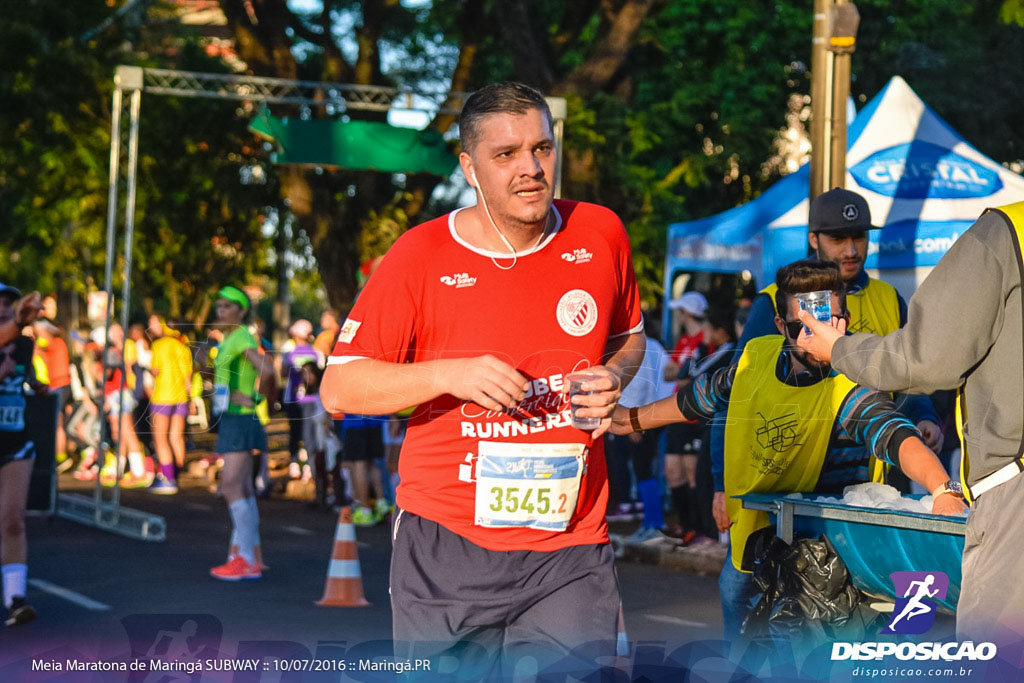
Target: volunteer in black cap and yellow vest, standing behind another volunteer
(838, 225)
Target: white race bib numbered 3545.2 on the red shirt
(533, 486)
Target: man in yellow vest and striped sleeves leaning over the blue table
(794, 425)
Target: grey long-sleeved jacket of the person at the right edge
(965, 328)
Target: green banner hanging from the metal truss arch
(356, 145)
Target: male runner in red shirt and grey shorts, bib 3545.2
(501, 547)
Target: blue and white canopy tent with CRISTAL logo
(924, 183)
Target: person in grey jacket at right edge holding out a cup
(965, 333)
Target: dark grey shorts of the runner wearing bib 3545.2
(490, 611)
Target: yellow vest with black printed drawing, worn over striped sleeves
(776, 436)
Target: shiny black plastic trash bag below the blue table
(806, 592)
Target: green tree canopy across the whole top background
(675, 111)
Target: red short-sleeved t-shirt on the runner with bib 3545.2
(436, 296)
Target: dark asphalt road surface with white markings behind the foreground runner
(104, 597)
